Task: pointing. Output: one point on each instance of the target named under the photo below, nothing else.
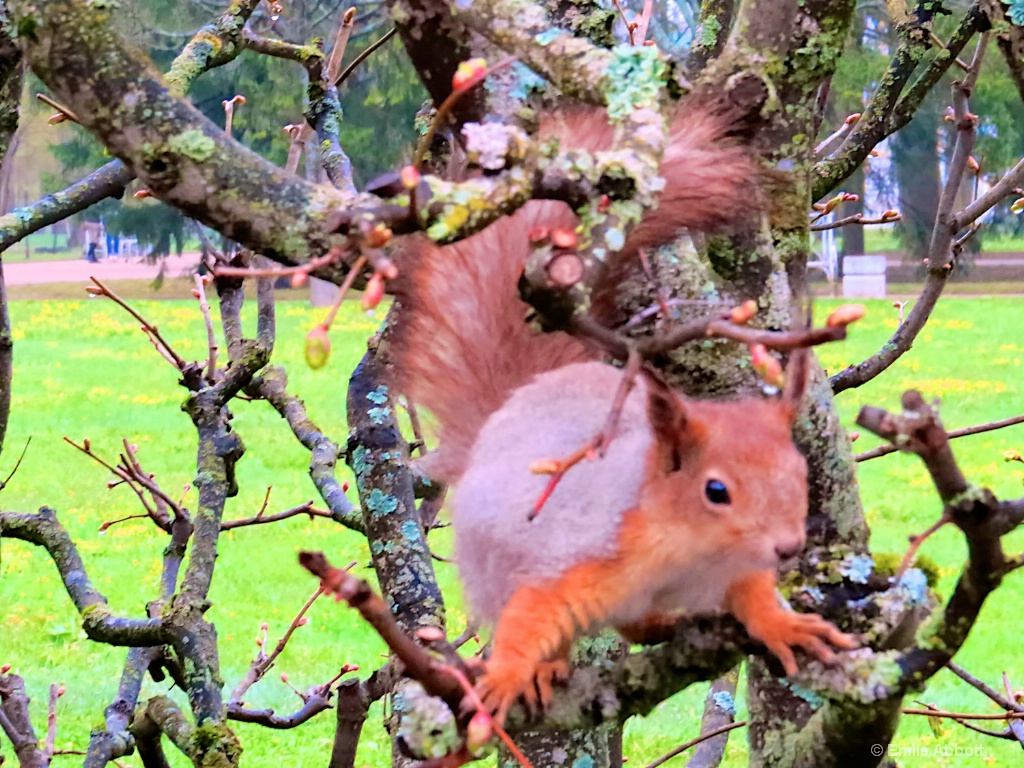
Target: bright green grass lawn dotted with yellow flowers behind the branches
(83, 370)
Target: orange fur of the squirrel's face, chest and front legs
(675, 549)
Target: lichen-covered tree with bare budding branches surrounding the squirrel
(772, 60)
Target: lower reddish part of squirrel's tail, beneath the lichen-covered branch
(463, 344)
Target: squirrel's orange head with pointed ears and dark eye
(728, 475)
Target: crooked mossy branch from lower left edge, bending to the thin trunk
(44, 530)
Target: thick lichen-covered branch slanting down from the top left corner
(181, 156)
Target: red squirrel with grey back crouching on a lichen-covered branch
(694, 505)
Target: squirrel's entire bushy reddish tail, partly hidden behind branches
(463, 345)
